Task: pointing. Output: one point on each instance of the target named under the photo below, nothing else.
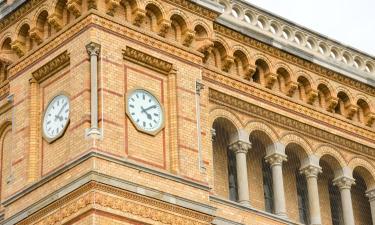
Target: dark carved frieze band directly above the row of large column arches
(273, 117)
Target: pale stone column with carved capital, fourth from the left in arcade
(344, 183)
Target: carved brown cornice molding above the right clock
(147, 60)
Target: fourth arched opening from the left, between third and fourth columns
(329, 194)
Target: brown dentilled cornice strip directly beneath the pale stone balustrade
(235, 35)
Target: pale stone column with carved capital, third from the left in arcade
(310, 168)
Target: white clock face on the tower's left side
(56, 117)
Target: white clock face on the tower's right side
(145, 111)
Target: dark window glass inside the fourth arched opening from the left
(336, 208)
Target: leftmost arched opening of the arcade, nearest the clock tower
(225, 180)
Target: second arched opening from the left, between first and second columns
(259, 172)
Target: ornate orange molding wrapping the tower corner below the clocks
(94, 194)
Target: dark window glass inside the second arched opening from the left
(267, 187)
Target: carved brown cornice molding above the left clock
(52, 67)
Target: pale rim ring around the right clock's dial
(162, 125)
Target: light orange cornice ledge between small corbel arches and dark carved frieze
(243, 86)
